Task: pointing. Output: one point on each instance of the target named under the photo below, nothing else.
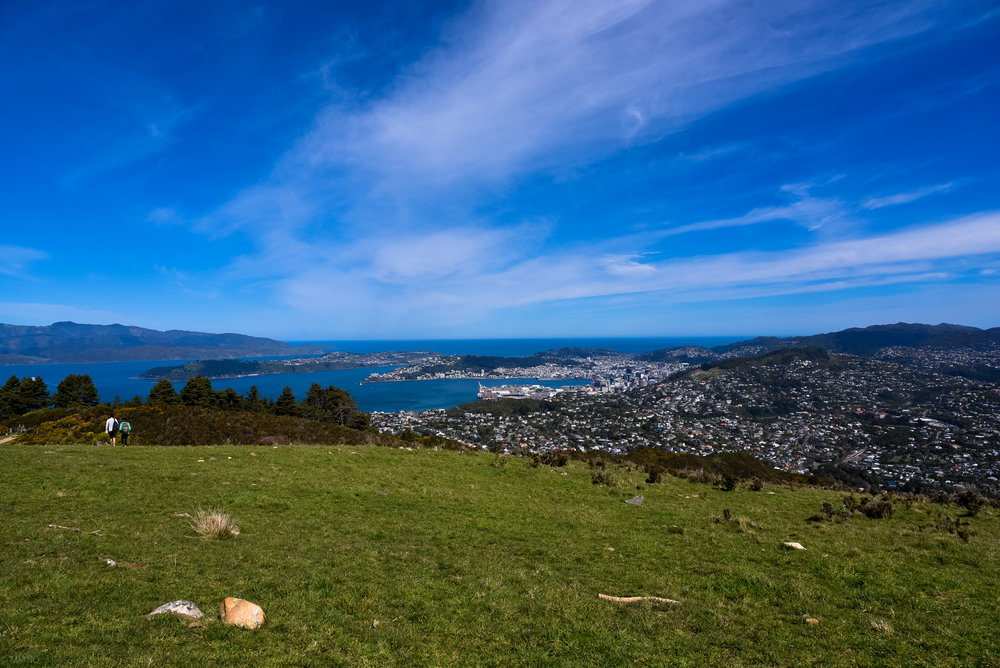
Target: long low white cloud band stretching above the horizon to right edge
(913, 255)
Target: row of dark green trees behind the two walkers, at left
(331, 404)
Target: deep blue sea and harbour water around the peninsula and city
(120, 379)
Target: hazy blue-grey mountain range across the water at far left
(69, 342)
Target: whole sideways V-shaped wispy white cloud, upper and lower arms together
(351, 219)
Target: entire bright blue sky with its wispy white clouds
(335, 170)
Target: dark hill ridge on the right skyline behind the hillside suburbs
(864, 341)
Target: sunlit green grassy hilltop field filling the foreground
(363, 555)
